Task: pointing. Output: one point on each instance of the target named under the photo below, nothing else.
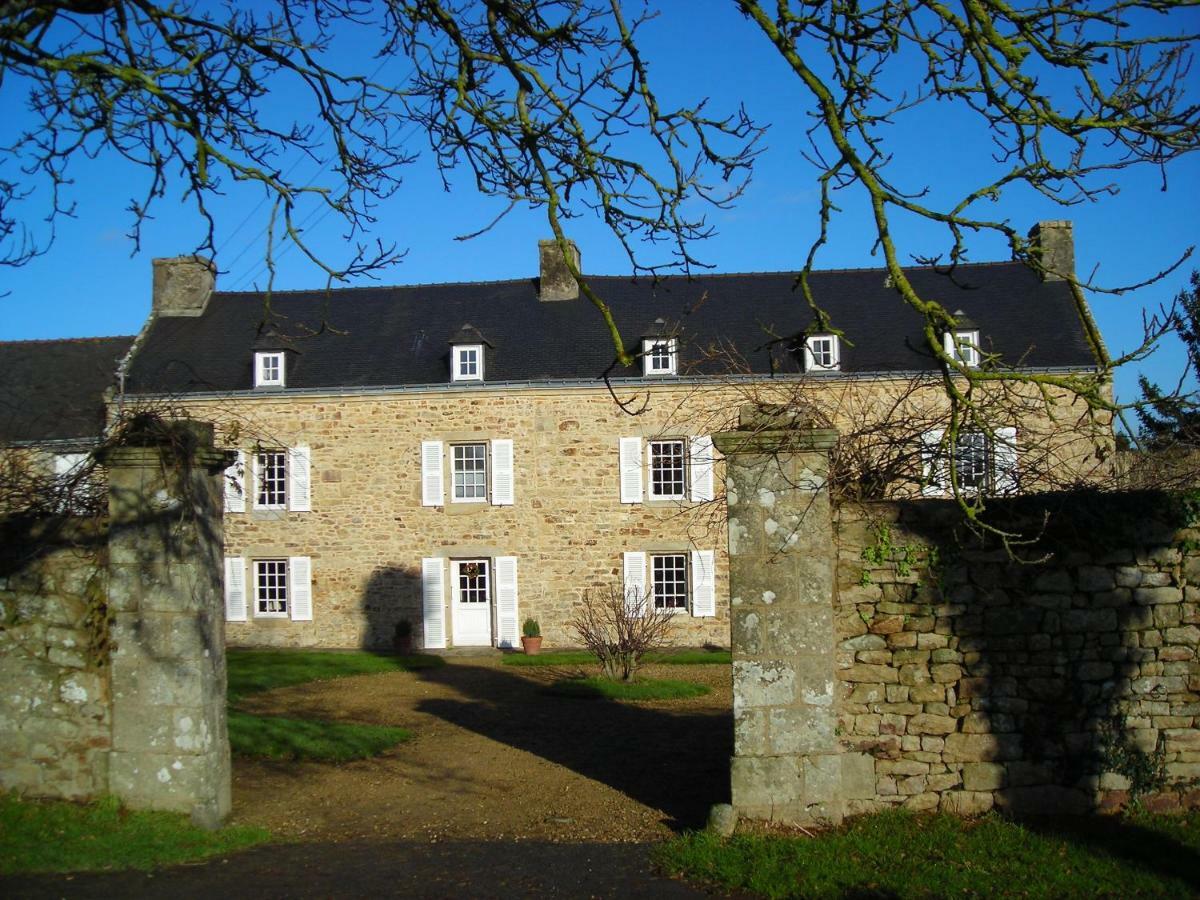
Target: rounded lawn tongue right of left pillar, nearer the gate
(279, 739)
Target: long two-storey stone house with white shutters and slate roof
(455, 457)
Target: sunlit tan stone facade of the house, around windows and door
(368, 530)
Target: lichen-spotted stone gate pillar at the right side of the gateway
(787, 764)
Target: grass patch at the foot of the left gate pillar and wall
(57, 837)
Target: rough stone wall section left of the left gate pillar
(56, 718)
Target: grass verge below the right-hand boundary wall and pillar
(905, 856)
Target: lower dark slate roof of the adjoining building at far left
(55, 391)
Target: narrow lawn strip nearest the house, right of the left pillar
(254, 671)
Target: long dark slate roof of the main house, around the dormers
(394, 337)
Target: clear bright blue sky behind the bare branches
(89, 285)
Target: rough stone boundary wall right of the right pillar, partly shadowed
(974, 682)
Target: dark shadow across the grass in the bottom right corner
(1124, 839)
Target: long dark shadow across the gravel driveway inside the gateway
(677, 763)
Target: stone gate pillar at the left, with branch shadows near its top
(171, 749)
